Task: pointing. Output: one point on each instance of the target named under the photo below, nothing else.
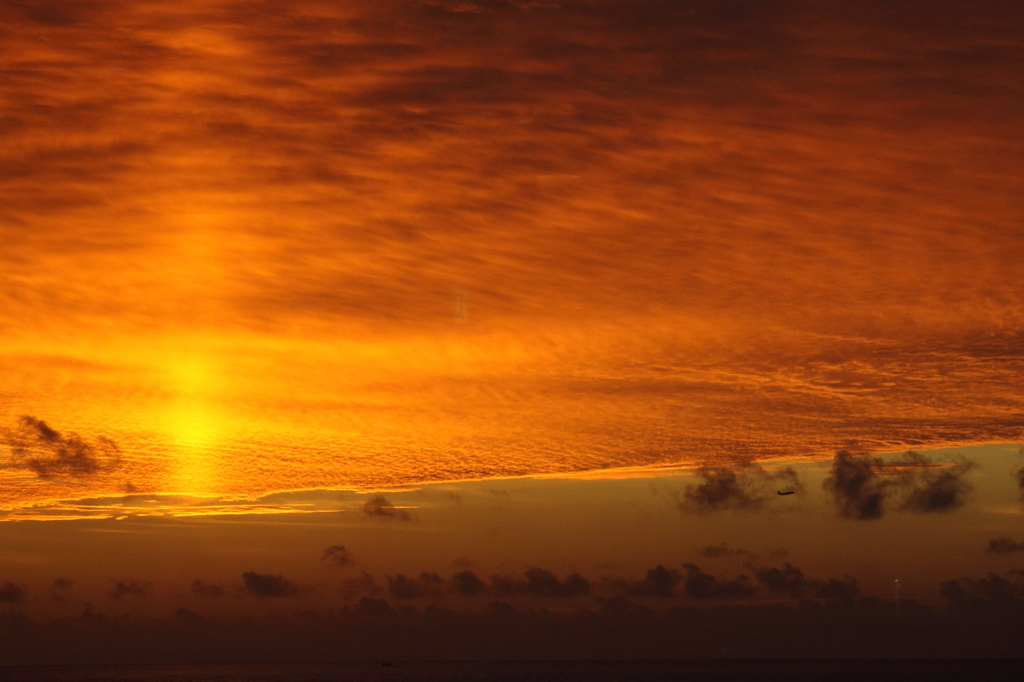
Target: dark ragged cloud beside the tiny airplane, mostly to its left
(749, 487)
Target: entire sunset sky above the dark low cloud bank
(306, 304)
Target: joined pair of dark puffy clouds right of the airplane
(863, 486)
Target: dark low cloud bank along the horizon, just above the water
(982, 618)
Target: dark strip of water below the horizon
(836, 671)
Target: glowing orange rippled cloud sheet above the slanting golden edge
(333, 245)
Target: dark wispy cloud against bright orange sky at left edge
(39, 448)
